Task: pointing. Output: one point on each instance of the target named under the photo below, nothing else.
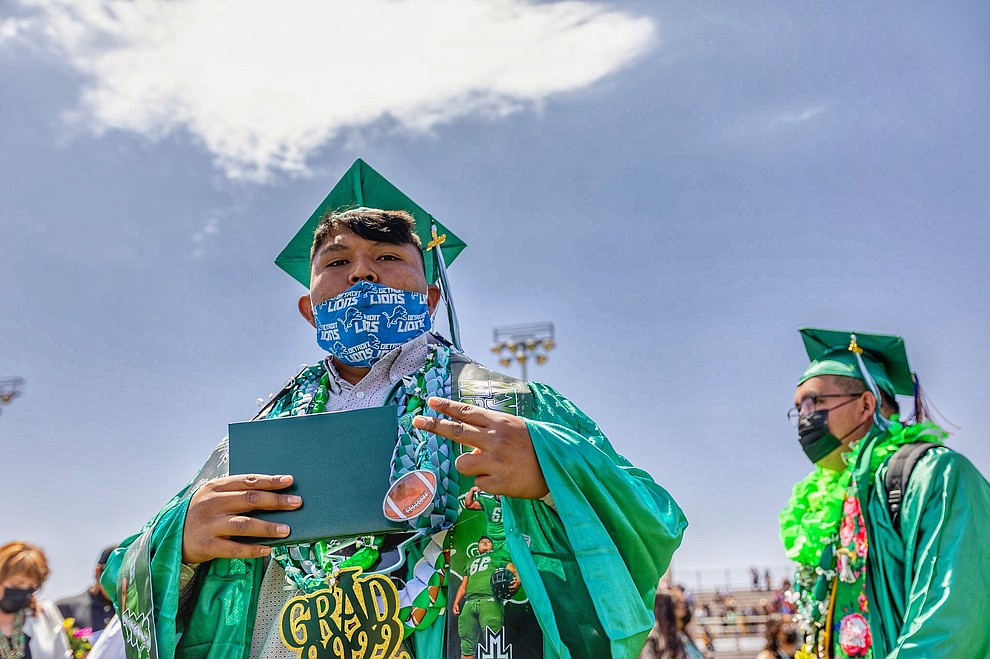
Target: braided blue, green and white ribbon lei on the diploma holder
(312, 566)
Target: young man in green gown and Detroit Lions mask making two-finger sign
(588, 534)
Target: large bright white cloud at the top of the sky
(264, 84)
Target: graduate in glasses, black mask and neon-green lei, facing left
(890, 531)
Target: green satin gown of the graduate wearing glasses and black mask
(936, 573)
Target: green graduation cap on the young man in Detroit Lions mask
(363, 186)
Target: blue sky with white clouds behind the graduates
(677, 186)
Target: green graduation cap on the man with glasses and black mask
(836, 352)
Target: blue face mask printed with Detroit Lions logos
(368, 320)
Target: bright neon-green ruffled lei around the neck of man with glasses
(810, 521)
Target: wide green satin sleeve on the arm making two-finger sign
(591, 568)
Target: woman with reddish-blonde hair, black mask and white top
(28, 629)
